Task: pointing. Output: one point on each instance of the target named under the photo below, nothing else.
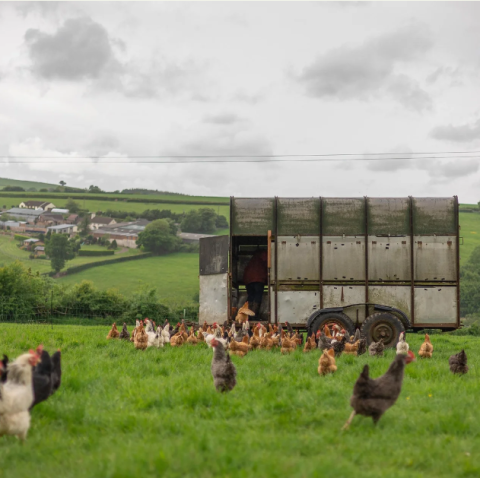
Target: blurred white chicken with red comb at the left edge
(16, 395)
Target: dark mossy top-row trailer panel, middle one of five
(343, 216)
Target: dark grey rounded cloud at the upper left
(79, 49)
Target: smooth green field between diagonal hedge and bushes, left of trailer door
(175, 276)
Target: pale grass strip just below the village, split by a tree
(9, 253)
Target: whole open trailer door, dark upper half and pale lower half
(214, 280)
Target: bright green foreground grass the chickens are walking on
(122, 413)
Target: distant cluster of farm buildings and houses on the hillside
(38, 217)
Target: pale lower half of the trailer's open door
(213, 298)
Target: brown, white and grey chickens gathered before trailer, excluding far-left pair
(371, 397)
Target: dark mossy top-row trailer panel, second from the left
(298, 216)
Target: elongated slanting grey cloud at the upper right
(364, 71)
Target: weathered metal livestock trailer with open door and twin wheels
(382, 264)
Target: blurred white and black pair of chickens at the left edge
(30, 379)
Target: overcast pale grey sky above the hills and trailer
(81, 79)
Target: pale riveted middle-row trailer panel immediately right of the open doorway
(298, 258)
